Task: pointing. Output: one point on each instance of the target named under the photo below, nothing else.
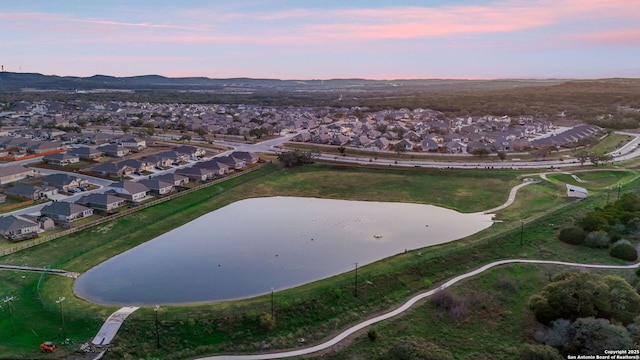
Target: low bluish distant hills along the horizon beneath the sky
(11, 82)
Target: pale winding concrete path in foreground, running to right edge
(406, 306)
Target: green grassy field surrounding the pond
(313, 311)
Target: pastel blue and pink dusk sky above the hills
(381, 40)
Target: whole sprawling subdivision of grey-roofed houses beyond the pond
(119, 141)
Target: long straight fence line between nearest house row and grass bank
(38, 241)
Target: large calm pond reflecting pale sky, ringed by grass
(253, 246)
